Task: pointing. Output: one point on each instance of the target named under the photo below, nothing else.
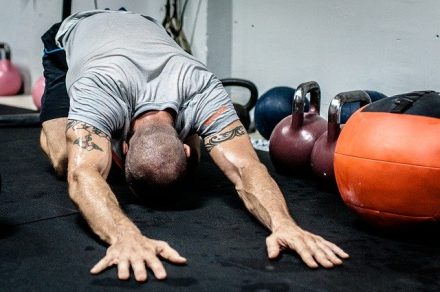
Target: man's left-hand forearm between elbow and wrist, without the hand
(91, 193)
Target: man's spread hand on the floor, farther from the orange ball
(138, 252)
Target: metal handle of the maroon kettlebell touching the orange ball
(335, 109)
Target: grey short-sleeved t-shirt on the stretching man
(122, 64)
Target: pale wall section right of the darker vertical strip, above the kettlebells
(391, 46)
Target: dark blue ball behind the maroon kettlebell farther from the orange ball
(272, 107)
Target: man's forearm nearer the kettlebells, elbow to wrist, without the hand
(262, 196)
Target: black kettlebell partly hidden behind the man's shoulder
(243, 110)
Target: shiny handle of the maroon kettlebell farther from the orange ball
(302, 90)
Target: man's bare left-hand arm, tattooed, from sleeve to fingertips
(89, 161)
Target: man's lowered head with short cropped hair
(155, 160)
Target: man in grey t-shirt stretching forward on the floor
(132, 91)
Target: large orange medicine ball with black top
(387, 160)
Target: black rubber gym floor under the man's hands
(45, 245)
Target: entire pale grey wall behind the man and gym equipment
(391, 46)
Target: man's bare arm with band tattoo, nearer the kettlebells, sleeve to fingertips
(233, 153)
